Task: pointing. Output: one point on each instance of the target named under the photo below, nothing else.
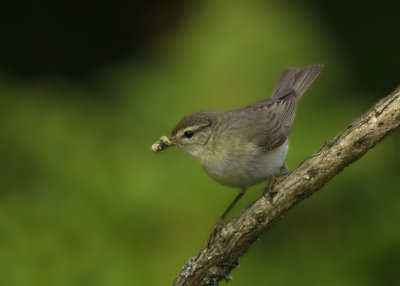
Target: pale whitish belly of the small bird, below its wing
(248, 170)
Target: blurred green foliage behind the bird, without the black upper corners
(83, 200)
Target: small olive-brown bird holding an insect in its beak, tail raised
(244, 147)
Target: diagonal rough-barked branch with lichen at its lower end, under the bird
(214, 262)
